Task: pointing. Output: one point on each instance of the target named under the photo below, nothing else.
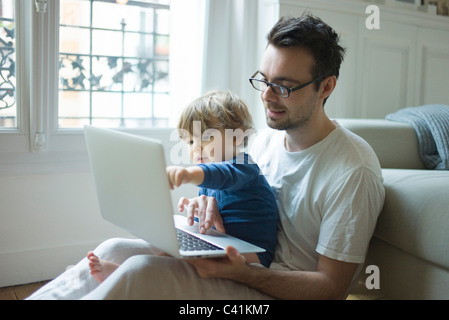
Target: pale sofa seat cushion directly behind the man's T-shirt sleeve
(415, 217)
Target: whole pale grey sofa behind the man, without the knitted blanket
(411, 241)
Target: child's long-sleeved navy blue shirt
(245, 201)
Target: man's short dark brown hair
(312, 34)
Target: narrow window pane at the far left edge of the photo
(8, 108)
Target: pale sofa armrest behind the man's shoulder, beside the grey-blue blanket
(395, 143)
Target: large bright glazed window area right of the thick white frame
(114, 62)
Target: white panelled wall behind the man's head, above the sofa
(404, 63)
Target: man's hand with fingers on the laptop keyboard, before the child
(205, 208)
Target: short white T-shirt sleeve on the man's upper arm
(349, 216)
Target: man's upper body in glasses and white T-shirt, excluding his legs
(328, 182)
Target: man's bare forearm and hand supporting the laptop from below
(330, 280)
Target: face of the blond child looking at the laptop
(212, 146)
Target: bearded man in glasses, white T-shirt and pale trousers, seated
(327, 181)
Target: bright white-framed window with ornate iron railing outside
(109, 63)
